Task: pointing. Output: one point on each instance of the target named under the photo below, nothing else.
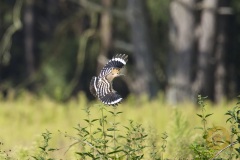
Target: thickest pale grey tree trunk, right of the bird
(182, 39)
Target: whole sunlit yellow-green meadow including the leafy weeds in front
(39, 128)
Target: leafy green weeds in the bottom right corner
(214, 139)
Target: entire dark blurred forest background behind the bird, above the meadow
(180, 47)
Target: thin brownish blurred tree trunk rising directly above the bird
(105, 33)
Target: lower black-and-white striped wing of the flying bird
(106, 94)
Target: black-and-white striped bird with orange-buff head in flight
(101, 86)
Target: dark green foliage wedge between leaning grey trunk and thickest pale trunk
(159, 21)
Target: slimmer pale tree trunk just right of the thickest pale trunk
(205, 76)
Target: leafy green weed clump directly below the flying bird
(103, 141)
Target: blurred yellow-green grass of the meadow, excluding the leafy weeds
(23, 120)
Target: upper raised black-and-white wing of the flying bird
(117, 61)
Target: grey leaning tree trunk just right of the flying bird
(143, 81)
